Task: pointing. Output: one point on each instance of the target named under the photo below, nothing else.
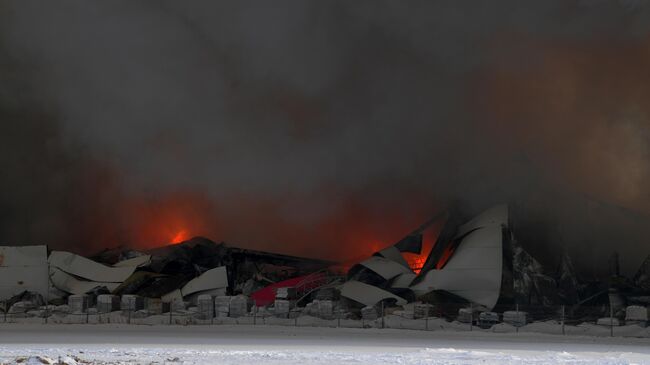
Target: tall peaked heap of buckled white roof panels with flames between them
(466, 262)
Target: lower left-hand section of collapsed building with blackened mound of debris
(182, 271)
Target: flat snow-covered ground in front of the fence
(120, 344)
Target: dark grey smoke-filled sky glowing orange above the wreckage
(311, 127)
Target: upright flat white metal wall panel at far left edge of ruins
(23, 268)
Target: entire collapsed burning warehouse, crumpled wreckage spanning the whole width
(477, 262)
